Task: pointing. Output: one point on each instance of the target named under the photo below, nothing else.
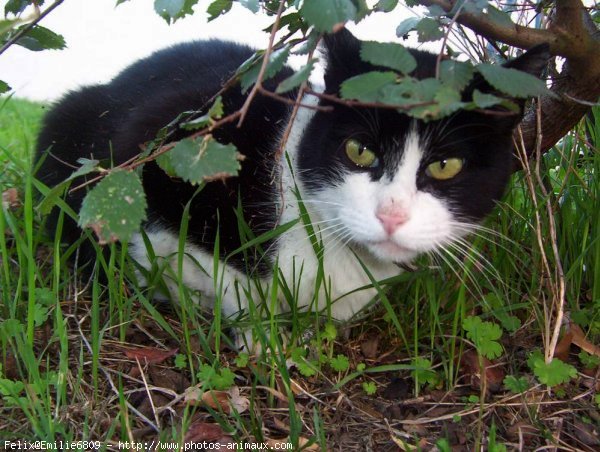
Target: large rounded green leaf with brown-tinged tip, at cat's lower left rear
(115, 207)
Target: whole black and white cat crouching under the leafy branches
(377, 184)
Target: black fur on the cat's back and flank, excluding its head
(112, 121)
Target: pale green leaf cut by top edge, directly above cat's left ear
(325, 15)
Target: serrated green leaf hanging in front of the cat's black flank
(205, 160)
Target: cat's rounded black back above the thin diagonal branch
(105, 120)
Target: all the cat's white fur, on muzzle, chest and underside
(343, 212)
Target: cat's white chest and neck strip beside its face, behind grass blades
(329, 272)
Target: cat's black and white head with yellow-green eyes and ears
(397, 186)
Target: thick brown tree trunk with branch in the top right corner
(573, 35)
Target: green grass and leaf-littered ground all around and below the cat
(66, 346)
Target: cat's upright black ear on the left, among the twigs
(342, 53)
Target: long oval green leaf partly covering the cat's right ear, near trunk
(512, 81)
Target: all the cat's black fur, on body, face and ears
(111, 122)
